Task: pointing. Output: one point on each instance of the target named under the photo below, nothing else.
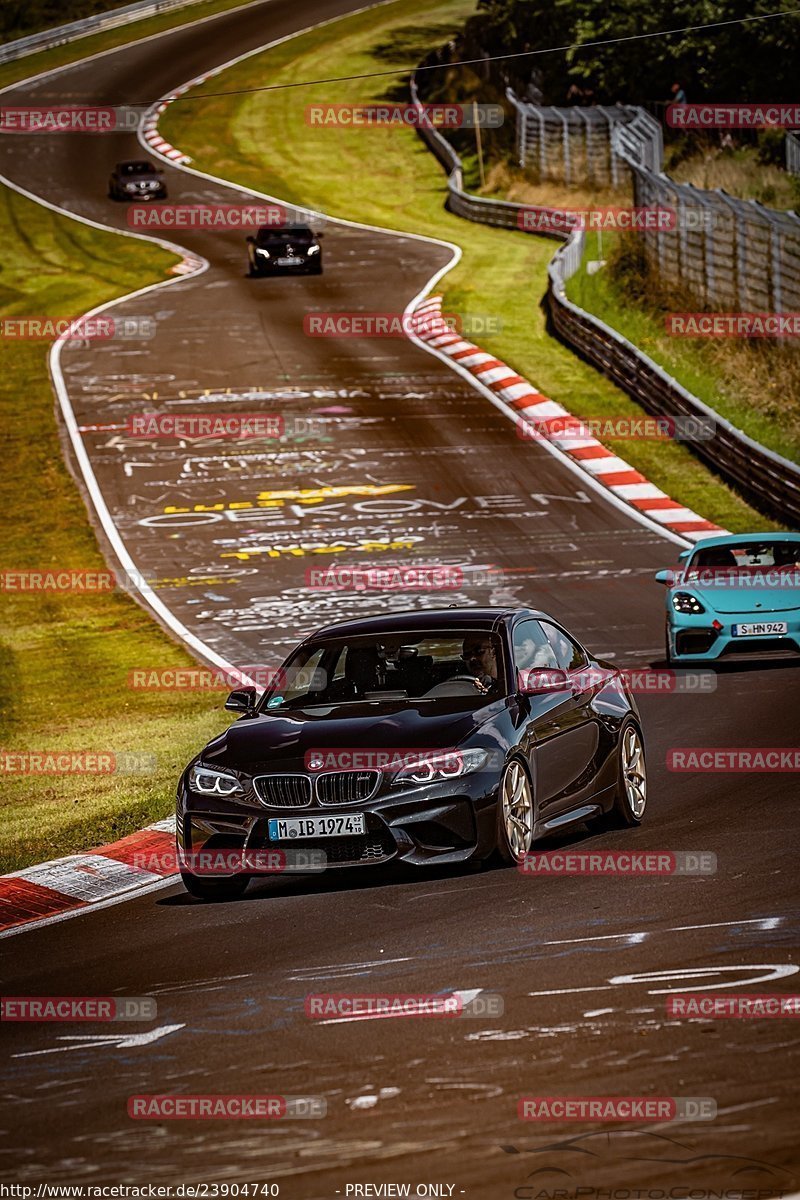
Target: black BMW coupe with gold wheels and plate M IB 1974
(428, 737)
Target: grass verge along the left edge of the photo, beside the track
(65, 658)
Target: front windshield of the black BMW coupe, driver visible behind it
(390, 668)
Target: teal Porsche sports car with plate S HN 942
(735, 596)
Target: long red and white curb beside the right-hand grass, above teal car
(555, 423)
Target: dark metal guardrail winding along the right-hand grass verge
(765, 478)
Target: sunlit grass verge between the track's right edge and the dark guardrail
(388, 178)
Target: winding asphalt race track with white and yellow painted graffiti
(429, 470)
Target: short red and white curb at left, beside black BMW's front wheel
(77, 883)
